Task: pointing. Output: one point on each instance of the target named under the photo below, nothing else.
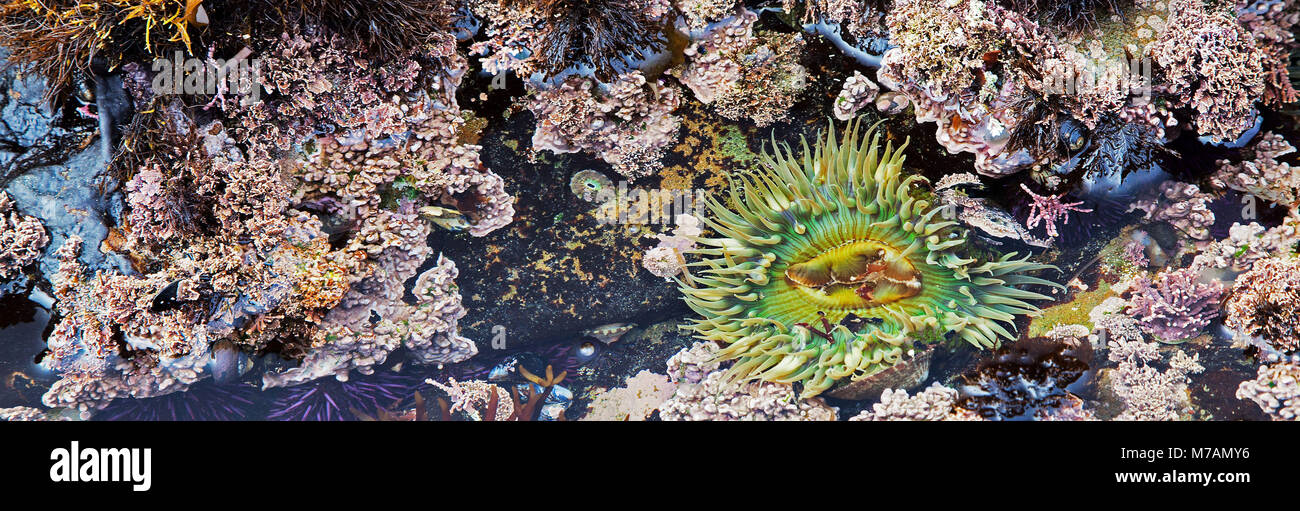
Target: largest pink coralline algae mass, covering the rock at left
(227, 226)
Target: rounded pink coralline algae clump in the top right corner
(1212, 66)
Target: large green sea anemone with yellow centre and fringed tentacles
(827, 267)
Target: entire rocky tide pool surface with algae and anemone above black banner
(911, 210)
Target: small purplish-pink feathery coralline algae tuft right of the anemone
(1177, 306)
